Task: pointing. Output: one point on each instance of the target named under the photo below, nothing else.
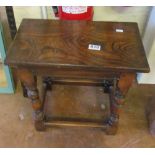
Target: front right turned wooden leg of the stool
(117, 93)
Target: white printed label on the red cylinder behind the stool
(74, 9)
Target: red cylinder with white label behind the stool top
(75, 12)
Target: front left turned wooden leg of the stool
(30, 84)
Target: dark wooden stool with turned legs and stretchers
(106, 54)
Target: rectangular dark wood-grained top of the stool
(55, 43)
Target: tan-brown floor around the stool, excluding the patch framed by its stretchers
(17, 130)
